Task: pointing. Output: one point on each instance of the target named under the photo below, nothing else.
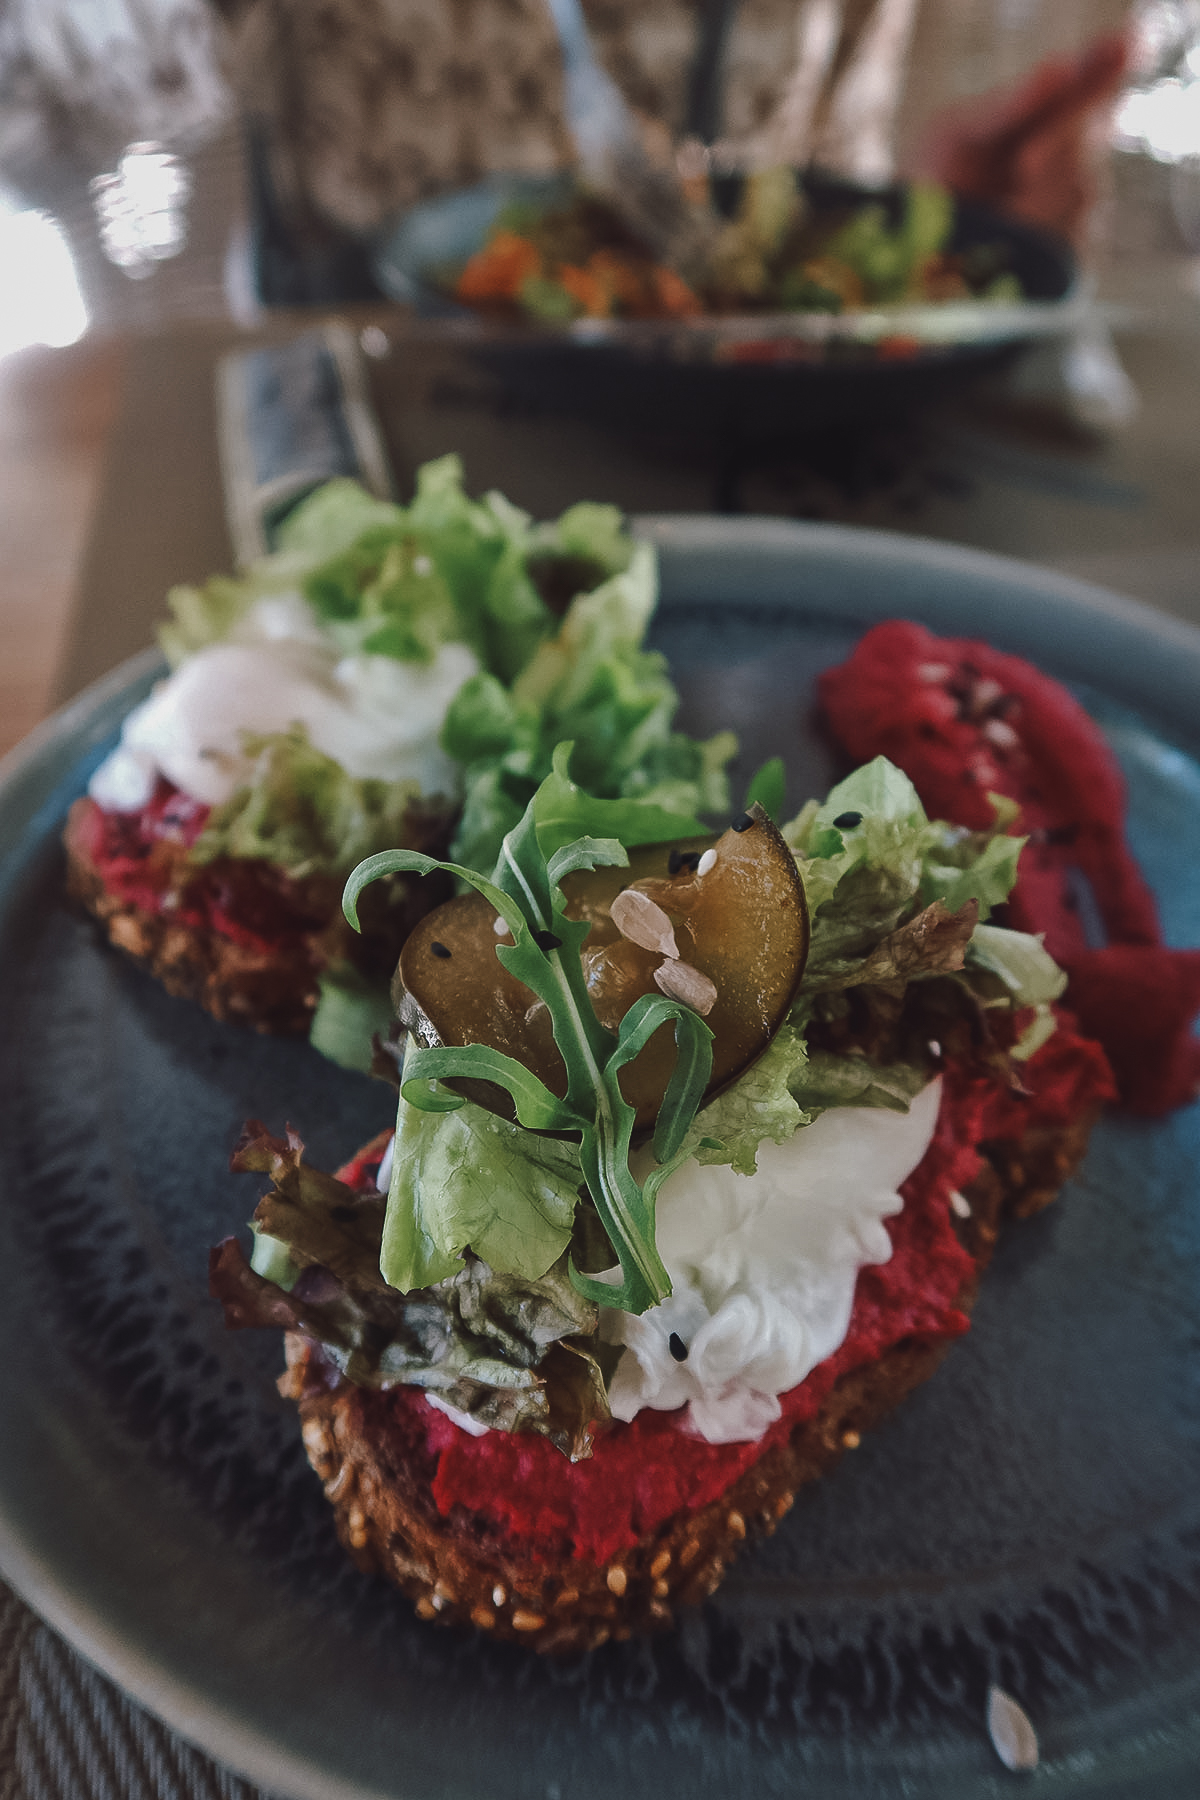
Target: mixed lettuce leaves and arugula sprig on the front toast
(478, 1277)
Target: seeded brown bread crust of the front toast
(460, 1572)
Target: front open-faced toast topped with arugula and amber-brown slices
(701, 1153)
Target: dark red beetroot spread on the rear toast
(143, 859)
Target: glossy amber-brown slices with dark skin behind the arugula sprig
(742, 924)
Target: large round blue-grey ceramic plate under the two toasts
(1030, 1518)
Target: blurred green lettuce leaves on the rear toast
(557, 616)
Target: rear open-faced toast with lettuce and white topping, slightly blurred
(393, 676)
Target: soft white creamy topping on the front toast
(764, 1268)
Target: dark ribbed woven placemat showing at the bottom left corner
(69, 1734)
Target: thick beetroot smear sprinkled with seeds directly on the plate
(965, 721)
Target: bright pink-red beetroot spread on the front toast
(650, 1470)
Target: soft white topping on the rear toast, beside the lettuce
(375, 715)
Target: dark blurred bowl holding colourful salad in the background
(755, 381)
